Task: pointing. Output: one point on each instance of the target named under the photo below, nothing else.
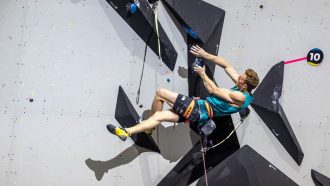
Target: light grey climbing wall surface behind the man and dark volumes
(71, 56)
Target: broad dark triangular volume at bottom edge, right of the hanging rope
(246, 167)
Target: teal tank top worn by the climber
(222, 108)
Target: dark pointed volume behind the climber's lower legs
(127, 117)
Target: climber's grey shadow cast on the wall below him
(128, 155)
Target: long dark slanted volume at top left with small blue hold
(142, 22)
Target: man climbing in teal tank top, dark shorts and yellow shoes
(221, 101)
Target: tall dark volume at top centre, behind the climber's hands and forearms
(193, 17)
